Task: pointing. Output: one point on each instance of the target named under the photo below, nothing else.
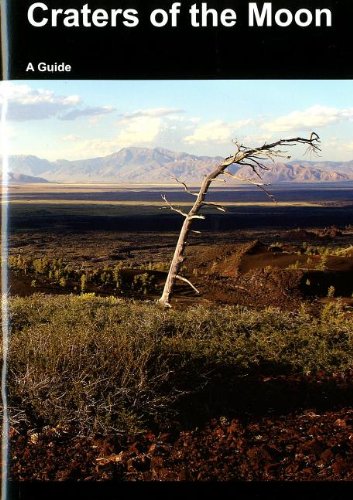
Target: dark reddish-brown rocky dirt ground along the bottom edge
(302, 430)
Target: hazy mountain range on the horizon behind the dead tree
(143, 165)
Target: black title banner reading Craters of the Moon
(163, 39)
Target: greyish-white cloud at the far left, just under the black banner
(26, 103)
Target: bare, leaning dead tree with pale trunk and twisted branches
(244, 156)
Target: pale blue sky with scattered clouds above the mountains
(71, 120)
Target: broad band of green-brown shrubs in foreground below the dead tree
(107, 364)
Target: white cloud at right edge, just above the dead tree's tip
(309, 119)
